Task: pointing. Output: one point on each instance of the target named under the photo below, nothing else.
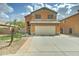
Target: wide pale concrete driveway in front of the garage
(61, 45)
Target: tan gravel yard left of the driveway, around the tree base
(13, 48)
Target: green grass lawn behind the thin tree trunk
(8, 36)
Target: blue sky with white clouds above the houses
(11, 11)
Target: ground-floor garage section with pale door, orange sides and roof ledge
(44, 28)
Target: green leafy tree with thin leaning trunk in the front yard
(15, 23)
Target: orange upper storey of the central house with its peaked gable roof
(43, 12)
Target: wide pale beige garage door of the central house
(44, 30)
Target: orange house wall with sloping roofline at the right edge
(70, 25)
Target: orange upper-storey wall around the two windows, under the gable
(44, 14)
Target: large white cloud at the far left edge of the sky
(4, 9)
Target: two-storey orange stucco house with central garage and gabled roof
(42, 22)
